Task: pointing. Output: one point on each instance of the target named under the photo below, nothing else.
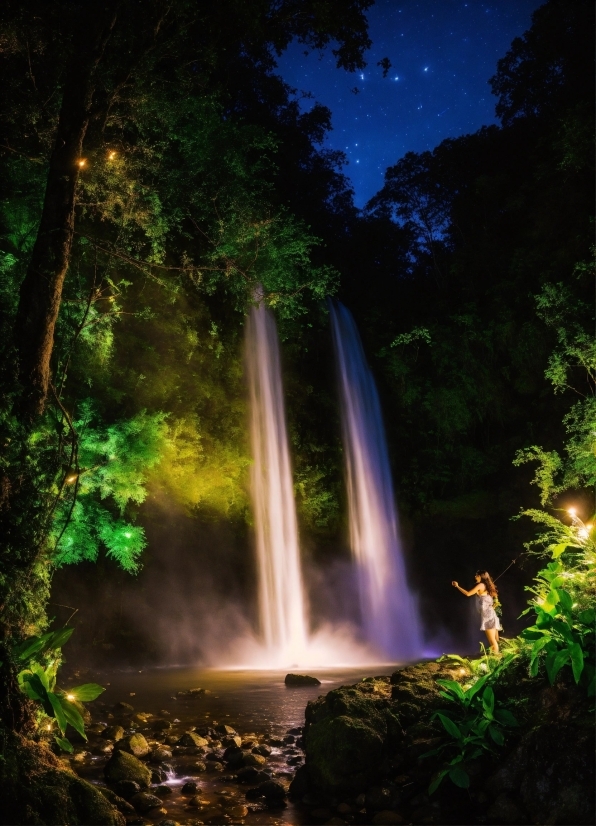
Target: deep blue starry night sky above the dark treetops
(442, 53)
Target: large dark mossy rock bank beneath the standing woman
(363, 745)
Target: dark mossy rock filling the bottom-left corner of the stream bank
(38, 789)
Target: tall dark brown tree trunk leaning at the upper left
(41, 290)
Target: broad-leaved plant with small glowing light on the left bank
(38, 681)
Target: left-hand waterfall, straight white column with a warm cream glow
(282, 611)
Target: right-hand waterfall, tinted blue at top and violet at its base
(389, 610)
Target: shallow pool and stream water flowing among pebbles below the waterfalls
(257, 704)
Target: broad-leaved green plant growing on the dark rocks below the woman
(475, 725)
